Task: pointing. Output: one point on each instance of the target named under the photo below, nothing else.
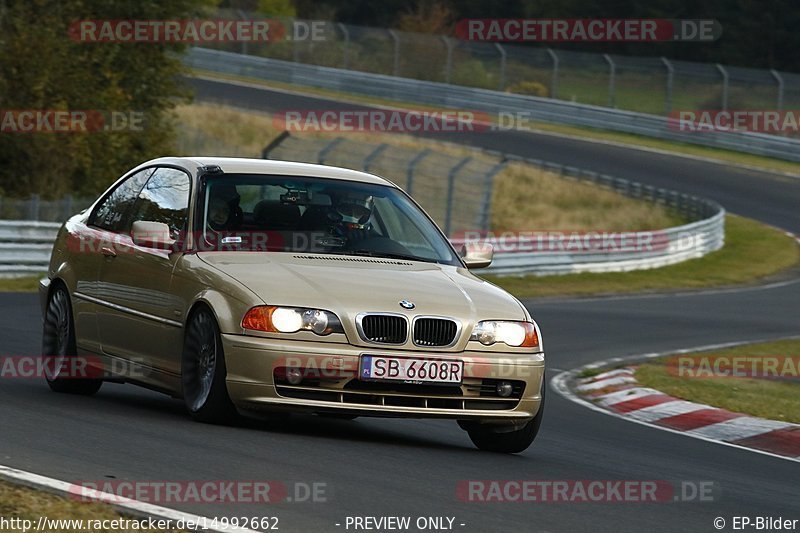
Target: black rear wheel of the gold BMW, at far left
(58, 345)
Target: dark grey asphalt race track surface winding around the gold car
(375, 467)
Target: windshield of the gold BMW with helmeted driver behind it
(316, 215)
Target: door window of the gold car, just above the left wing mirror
(165, 199)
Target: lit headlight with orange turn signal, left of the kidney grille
(274, 319)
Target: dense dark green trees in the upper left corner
(43, 68)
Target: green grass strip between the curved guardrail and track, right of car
(752, 252)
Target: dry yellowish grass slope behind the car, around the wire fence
(524, 198)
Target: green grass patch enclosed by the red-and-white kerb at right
(766, 398)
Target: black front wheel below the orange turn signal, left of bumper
(203, 371)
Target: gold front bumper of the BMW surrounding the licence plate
(331, 384)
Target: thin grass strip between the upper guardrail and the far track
(726, 156)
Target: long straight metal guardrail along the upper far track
(445, 95)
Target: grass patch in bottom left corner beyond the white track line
(28, 504)
